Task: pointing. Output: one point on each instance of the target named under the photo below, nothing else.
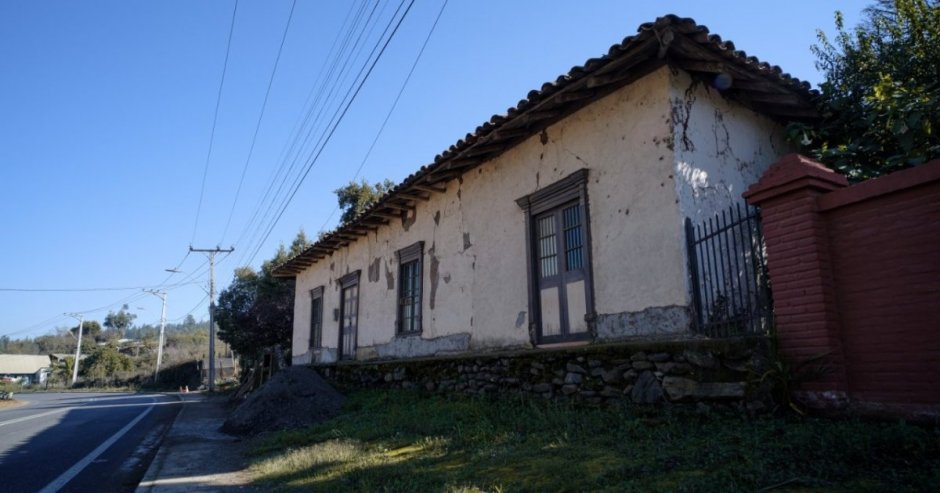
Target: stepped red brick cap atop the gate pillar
(793, 172)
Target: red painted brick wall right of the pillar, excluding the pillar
(886, 264)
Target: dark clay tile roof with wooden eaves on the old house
(670, 40)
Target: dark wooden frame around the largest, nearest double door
(572, 188)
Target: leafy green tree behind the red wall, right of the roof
(880, 103)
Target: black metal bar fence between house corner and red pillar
(730, 294)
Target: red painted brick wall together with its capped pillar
(855, 273)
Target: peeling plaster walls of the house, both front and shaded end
(656, 152)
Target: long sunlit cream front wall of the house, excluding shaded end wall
(474, 252)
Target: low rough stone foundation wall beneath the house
(716, 373)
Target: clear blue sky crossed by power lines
(107, 110)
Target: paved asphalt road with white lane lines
(81, 441)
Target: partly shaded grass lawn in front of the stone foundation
(408, 441)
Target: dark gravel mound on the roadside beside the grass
(293, 398)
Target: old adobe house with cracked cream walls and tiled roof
(560, 221)
